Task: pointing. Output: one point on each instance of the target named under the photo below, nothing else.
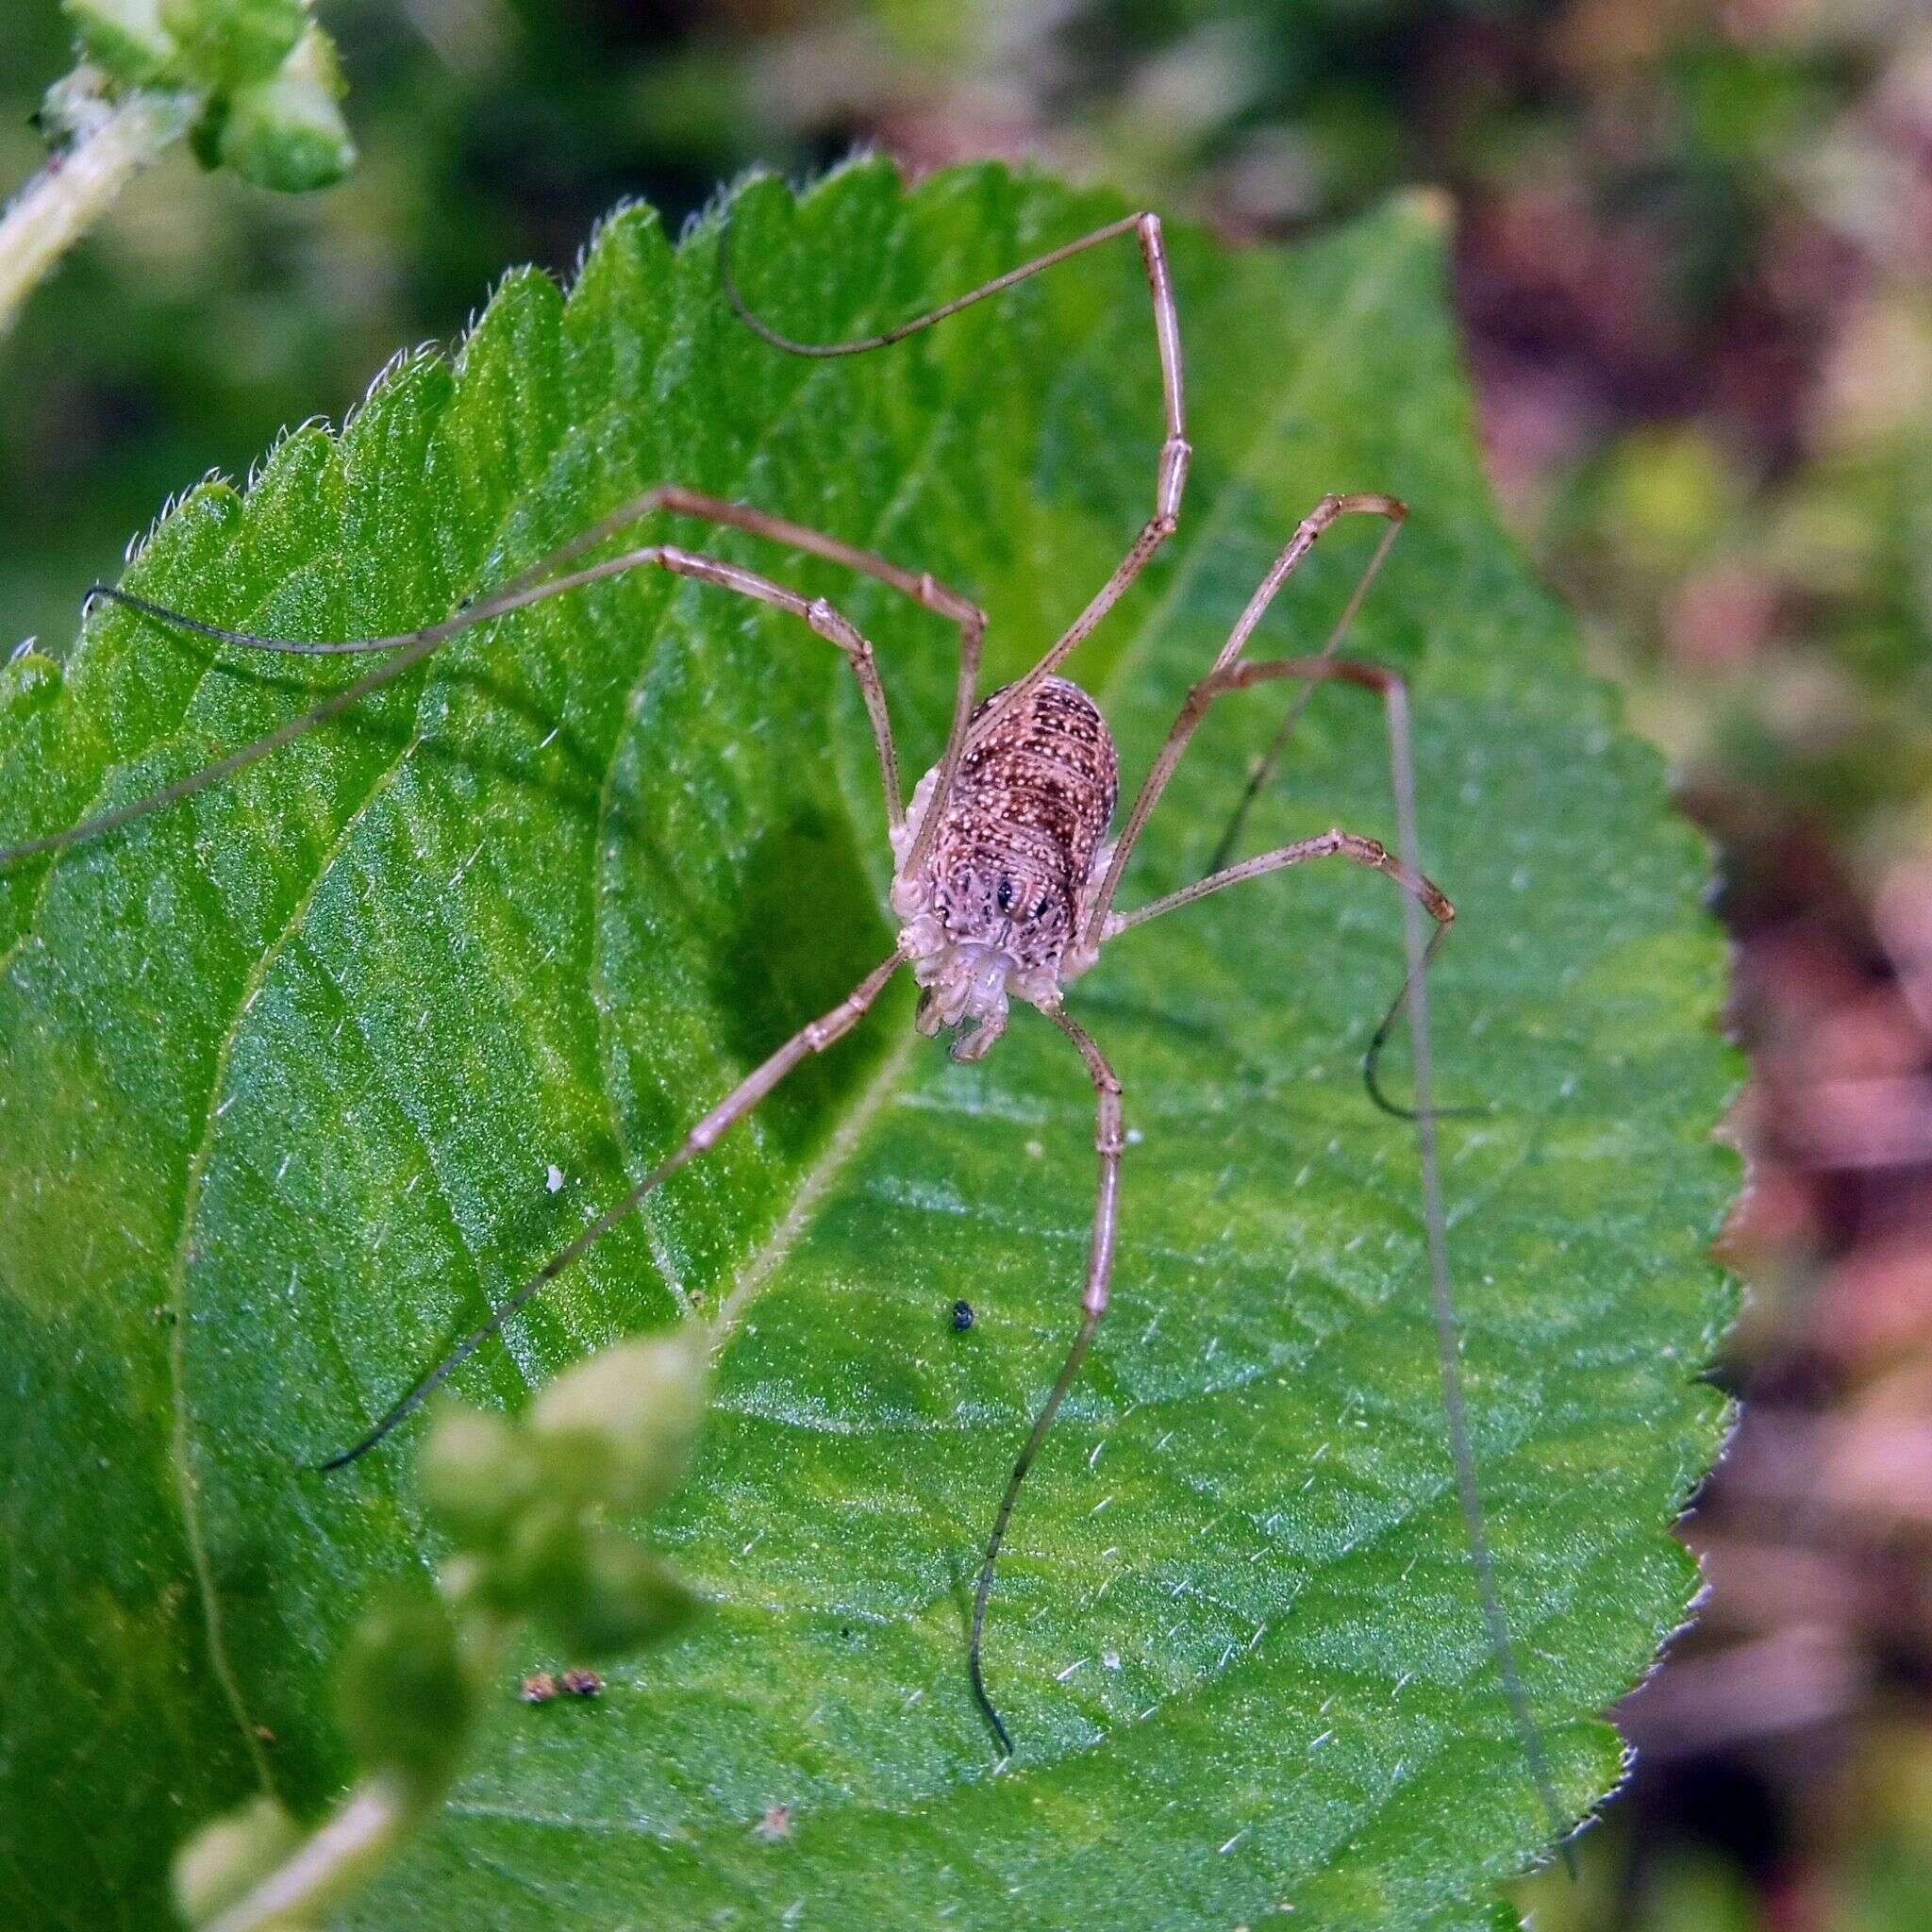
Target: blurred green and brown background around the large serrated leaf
(1695, 271)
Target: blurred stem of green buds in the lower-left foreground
(610, 1438)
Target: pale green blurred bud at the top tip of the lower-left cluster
(619, 1429)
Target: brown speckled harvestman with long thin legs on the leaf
(1004, 878)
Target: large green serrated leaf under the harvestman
(289, 1075)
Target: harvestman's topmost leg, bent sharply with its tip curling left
(1170, 476)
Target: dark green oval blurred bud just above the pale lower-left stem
(403, 1691)
